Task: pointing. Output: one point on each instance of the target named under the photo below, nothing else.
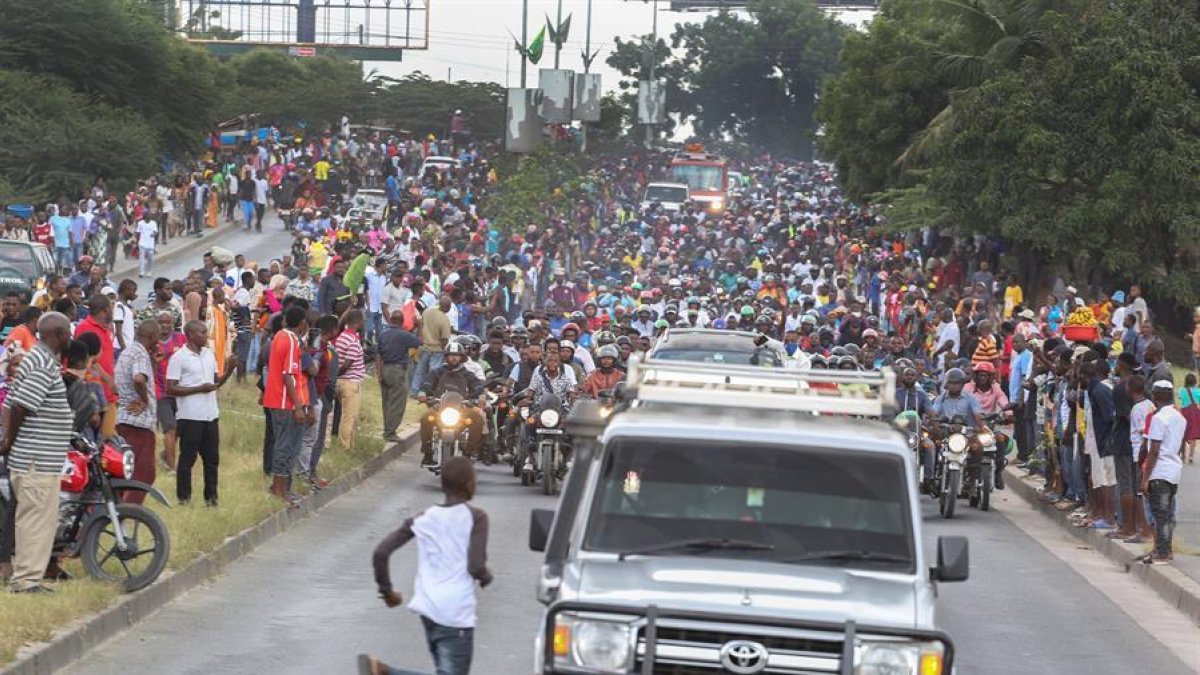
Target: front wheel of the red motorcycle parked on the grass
(149, 547)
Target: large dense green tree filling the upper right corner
(1067, 128)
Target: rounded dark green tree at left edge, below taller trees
(56, 142)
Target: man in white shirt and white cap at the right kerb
(1163, 469)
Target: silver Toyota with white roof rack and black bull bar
(739, 519)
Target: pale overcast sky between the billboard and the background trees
(471, 38)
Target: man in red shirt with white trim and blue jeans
(287, 399)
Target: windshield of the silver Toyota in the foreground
(811, 506)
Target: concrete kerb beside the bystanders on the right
(1178, 589)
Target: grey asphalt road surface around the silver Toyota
(305, 602)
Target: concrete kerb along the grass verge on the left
(76, 641)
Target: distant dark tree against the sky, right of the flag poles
(749, 77)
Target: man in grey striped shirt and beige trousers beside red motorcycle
(37, 443)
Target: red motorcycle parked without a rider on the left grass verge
(121, 543)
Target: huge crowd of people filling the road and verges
(436, 295)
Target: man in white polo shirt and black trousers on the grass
(193, 379)
